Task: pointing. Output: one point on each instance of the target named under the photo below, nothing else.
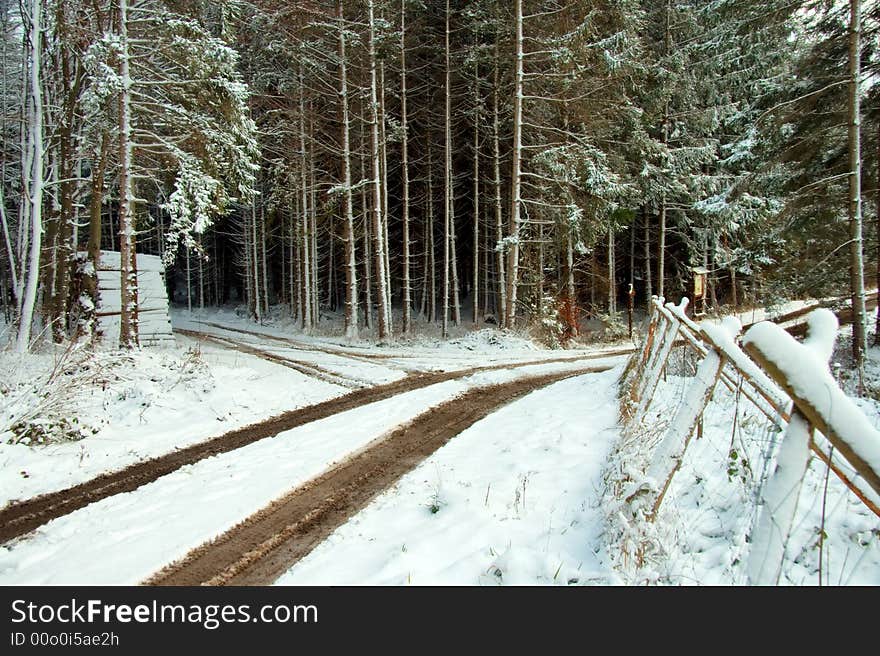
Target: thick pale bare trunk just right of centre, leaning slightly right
(515, 181)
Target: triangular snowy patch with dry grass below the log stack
(149, 403)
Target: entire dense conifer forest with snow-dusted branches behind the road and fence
(395, 162)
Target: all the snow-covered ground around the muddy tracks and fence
(518, 498)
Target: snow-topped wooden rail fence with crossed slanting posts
(788, 382)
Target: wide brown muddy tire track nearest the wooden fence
(262, 547)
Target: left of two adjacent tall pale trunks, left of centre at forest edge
(351, 295)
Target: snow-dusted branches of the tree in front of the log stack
(190, 115)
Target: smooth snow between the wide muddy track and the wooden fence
(513, 500)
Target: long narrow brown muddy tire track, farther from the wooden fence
(21, 517)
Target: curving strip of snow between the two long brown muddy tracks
(126, 537)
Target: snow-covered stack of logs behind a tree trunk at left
(154, 323)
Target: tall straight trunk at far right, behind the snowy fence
(857, 271)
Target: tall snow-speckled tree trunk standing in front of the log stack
(128, 325)
